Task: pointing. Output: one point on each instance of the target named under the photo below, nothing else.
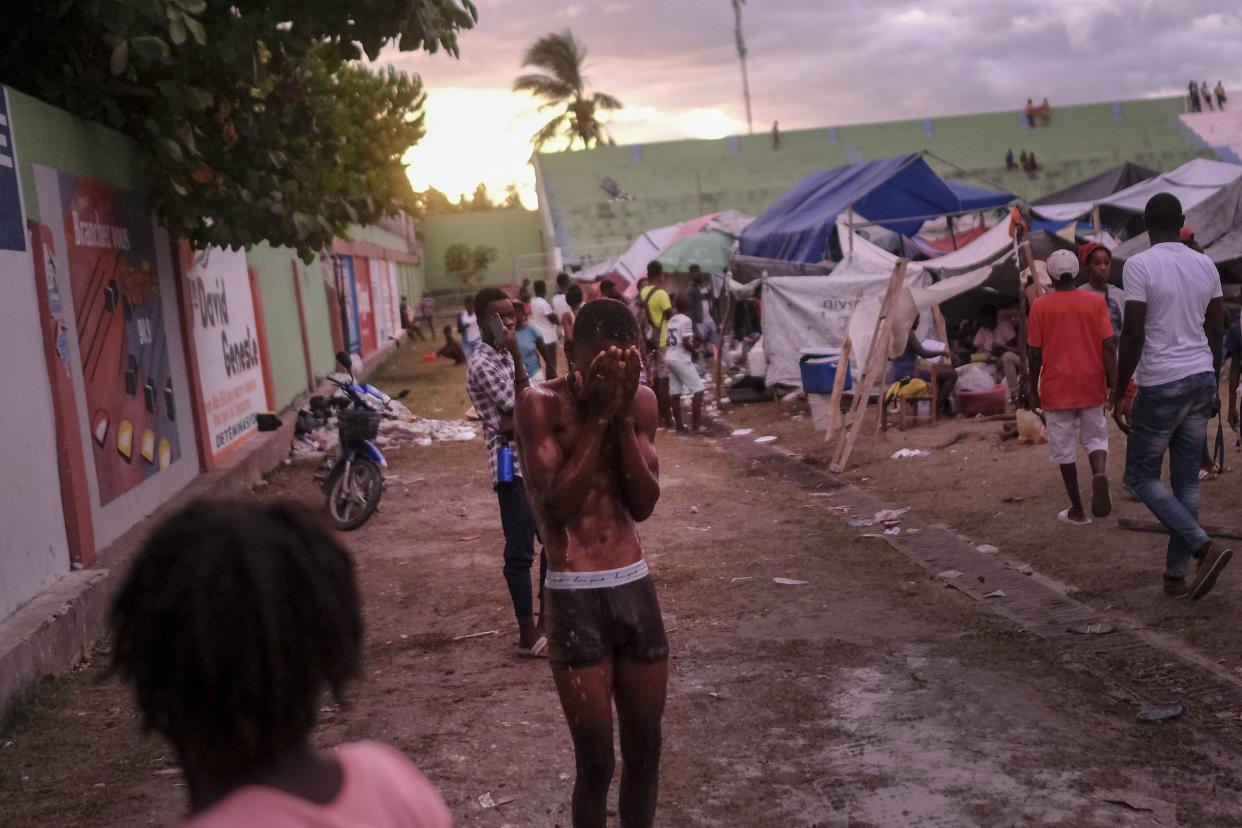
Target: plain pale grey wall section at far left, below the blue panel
(34, 548)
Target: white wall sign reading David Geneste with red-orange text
(227, 346)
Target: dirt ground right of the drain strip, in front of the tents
(1008, 495)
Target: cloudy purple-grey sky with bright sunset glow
(813, 64)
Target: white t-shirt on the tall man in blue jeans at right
(1177, 284)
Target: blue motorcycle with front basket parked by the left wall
(356, 484)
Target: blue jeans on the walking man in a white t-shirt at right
(1172, 418)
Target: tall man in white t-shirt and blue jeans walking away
(1172, 347)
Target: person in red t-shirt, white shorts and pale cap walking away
(1074, 364)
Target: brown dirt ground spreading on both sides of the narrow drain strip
(870, 696)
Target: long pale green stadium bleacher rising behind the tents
(671, 182)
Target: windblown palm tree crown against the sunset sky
(562, 86)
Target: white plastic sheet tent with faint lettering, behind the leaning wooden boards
(814, 312)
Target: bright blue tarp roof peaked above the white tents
(900, 193)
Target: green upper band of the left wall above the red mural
(55, 138)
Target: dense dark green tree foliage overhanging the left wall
(255, 121)
